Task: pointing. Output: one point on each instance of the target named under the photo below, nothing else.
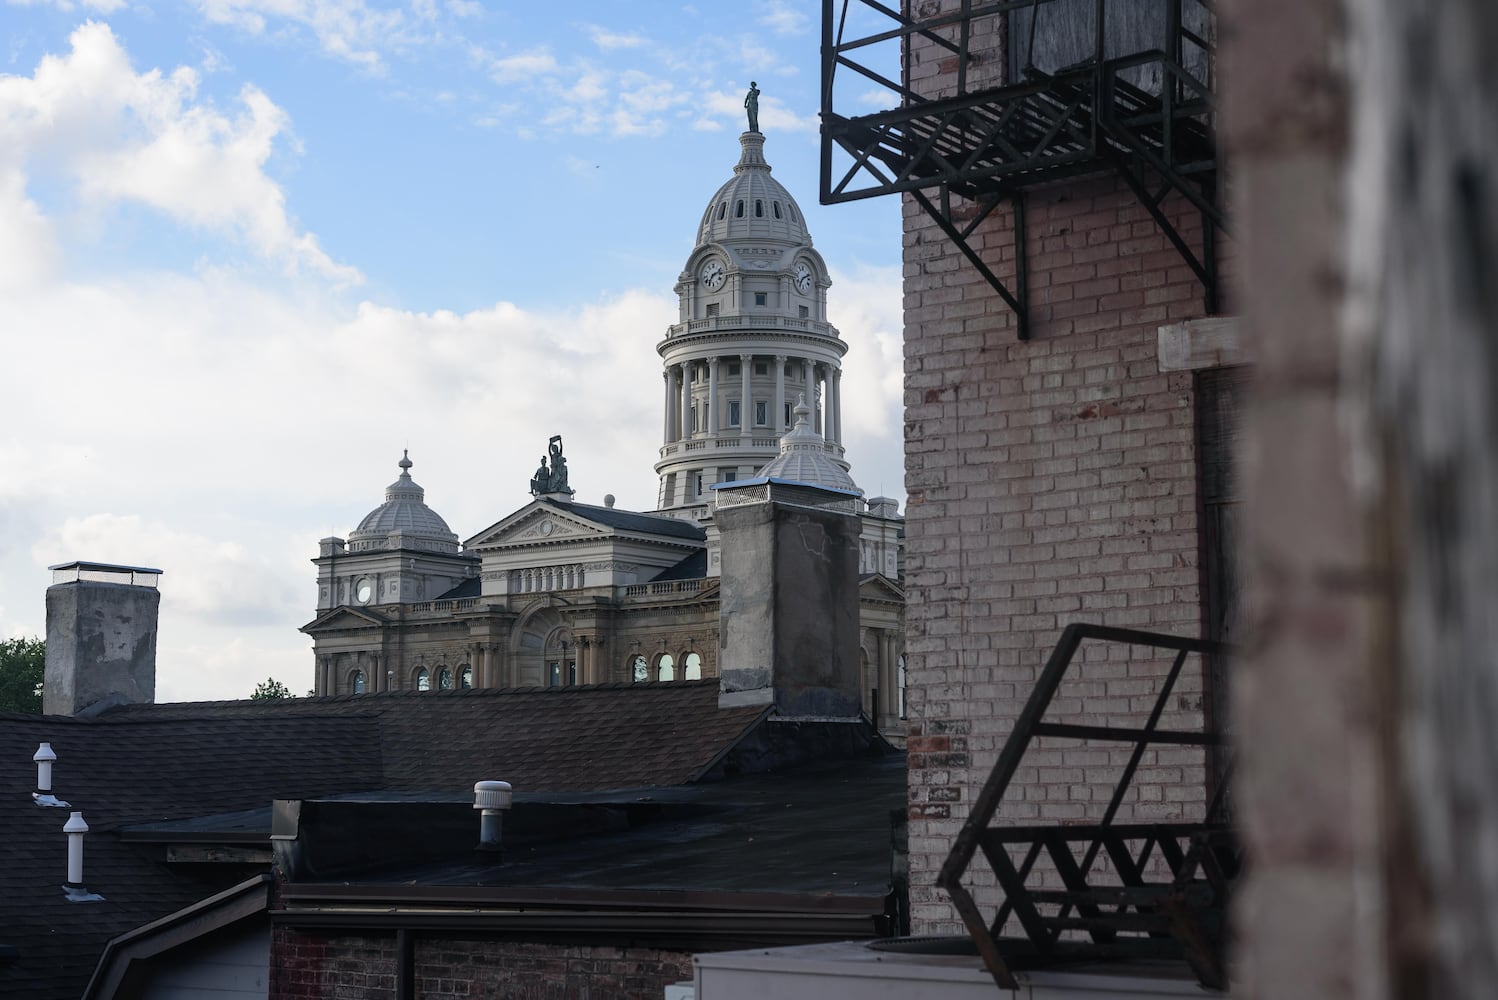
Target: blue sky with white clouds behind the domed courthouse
(251, 251)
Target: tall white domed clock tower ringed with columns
(753, 338)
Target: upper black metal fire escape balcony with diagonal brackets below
(1090, 86)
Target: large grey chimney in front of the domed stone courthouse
(789, 601)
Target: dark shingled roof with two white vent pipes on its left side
(145, 764)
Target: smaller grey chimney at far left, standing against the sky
(101, 638)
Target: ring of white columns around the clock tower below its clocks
(679, 396)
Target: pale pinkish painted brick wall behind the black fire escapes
(1051, 481)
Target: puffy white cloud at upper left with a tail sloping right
(146, 138)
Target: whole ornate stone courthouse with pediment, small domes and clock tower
(568, 594)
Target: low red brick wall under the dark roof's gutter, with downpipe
(315, 968)
